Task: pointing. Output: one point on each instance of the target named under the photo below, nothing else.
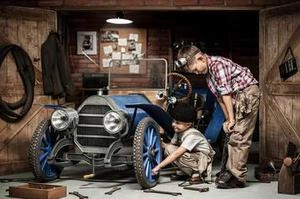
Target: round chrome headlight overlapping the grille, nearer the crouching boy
(114, 122)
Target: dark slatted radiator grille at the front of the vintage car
(90, 129)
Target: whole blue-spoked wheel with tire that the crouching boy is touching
(147, 152)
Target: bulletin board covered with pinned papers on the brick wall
(123, 44)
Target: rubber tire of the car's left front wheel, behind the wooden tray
(35, 153)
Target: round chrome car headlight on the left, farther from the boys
(61, 119)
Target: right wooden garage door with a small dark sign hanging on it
(280, 103)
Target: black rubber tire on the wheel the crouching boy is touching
(138, 144)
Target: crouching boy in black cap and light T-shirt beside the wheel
(188, 149)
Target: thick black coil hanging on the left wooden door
(26, 71)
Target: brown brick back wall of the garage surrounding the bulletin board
(158, 43)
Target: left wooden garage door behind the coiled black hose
(28, 28)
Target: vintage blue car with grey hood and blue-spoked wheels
(110, 131)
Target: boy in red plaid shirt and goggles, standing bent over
(238, 95)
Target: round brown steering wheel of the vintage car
(179, 87)
